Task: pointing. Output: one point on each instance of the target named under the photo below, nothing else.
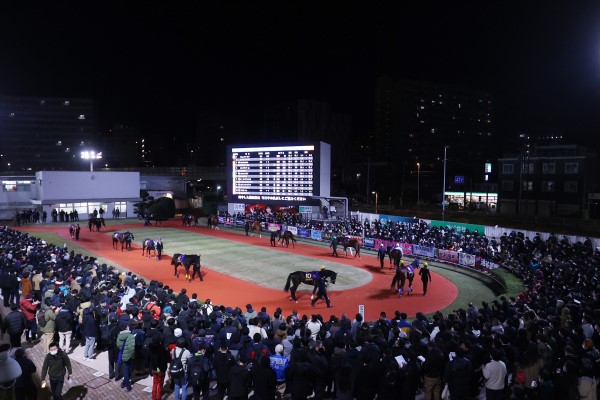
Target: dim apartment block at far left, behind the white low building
(45, 133)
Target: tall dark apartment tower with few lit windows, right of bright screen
(415, 120)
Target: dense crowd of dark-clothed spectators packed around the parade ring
(542, 343)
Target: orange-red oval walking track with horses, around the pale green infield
(376, 296)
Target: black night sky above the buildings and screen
(157, 64)
